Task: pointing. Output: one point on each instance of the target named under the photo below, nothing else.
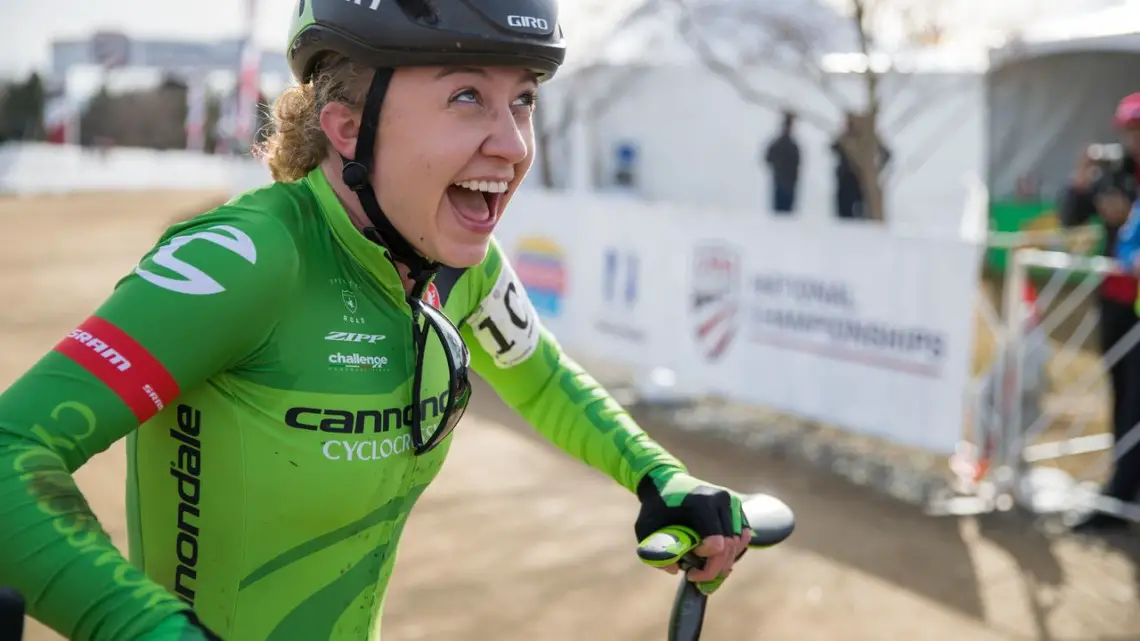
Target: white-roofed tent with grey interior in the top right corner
(1053, 93)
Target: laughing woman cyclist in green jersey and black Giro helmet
(287, 369)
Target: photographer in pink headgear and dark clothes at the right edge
(1108, 194)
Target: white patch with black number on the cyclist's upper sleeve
(506, 322)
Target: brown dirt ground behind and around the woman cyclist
(543, 548)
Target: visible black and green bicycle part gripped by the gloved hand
(771, 521)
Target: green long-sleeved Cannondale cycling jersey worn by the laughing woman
(259, 361)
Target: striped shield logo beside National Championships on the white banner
(715, 297)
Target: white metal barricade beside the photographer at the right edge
(1036, 465)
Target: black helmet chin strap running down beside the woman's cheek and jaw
(356, 177)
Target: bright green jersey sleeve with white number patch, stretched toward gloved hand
(525, 364)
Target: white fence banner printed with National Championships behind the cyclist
(853, 326)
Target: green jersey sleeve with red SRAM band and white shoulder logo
(201, 302)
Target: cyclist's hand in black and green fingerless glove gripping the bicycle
(672, 498)
